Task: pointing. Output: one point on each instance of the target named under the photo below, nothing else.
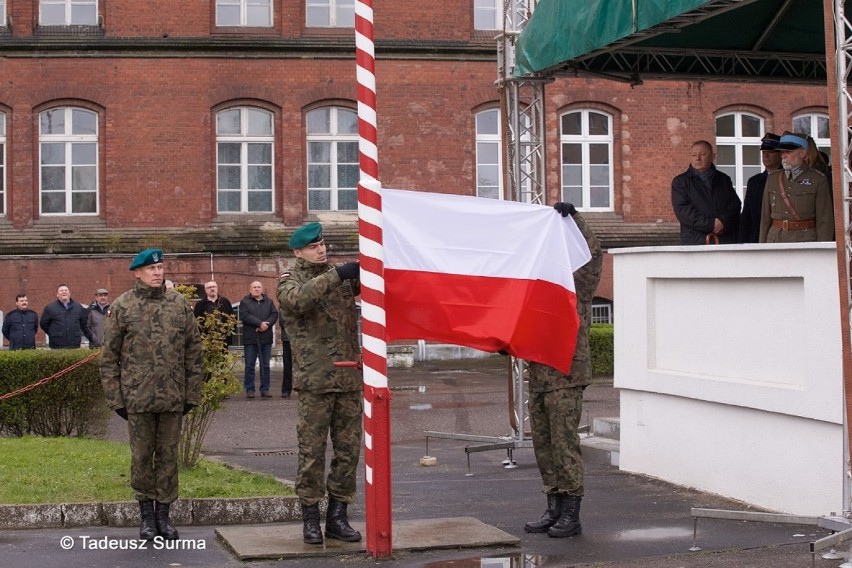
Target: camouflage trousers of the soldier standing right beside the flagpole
(334, 414)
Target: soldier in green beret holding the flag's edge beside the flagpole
(317, 302)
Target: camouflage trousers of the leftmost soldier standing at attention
(154, 440)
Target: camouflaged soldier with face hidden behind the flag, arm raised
(556, 403)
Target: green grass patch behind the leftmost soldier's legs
(82, 470)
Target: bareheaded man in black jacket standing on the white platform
(704, 201)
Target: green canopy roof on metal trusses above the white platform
(760, 40)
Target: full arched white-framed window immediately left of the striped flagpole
(332, 159)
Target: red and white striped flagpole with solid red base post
(374, 350)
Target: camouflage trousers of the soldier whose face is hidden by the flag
(554, 418)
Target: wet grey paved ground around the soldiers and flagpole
(628, 520)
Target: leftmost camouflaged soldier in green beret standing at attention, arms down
(151, 371)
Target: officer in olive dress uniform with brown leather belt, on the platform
(797, 200)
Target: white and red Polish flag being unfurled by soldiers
(489, 274)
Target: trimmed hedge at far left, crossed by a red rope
(72, 404)
